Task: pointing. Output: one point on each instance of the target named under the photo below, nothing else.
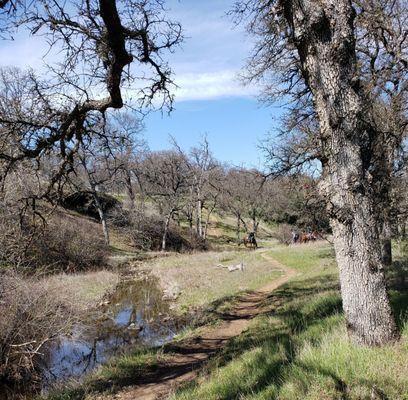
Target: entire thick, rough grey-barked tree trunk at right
(353, 167)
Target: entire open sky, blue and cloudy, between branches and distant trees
(210, 99)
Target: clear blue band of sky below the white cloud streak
(233, 125)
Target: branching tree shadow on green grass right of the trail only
(279, 339)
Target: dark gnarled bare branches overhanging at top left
(103, 47)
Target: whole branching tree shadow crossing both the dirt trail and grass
(295, 307)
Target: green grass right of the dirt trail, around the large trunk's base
(299, 350)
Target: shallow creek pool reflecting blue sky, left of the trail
(135, 316)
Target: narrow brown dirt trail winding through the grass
(189, 355)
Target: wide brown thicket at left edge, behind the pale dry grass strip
(62, 243)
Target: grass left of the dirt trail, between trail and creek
(203, 285)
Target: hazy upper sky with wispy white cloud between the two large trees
(210, 61)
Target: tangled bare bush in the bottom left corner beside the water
(32, 314)
